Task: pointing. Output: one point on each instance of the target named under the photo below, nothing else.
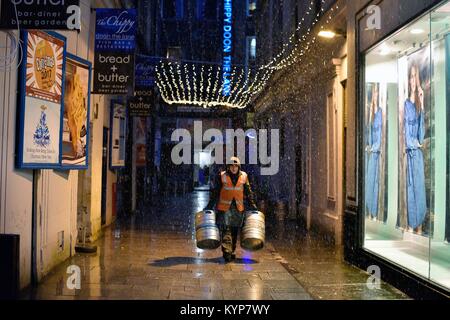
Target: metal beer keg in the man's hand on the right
(253, 233)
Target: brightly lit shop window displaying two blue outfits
(406, 147)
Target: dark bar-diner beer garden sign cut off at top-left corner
(40, 14)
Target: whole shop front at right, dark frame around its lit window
(403, 134)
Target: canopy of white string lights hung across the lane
(200, 84)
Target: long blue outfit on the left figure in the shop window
(373, 164)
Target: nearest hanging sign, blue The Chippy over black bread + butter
(115, 44)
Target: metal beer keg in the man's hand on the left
(207, 233)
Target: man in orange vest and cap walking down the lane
(228, 194)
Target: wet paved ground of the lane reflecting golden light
(154, 256)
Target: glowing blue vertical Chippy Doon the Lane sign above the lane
(227, 47)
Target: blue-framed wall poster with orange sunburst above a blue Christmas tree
(42, 88)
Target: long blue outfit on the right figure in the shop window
(414, 125)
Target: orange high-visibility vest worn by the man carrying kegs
(230, 192)
